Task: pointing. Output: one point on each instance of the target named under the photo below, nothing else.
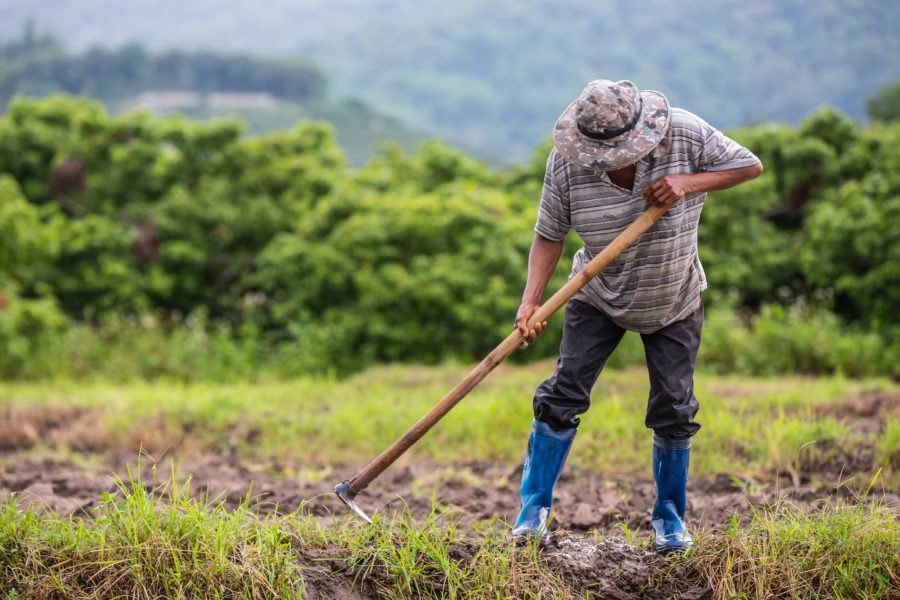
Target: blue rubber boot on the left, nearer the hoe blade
(547, 452)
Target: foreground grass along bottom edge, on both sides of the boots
(138, 546)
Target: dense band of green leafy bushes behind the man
(170, 239)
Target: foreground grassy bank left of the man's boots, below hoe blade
(152, 542)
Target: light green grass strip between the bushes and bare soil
(750, 425)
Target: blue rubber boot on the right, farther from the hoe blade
(670, 467)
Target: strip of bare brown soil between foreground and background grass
(476, 491)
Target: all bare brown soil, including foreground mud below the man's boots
(52, 458)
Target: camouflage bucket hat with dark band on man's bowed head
(611, 125)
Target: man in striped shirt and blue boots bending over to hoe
(616, 149)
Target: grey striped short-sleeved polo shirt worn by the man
(659, 279)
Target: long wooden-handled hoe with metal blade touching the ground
(348, 490)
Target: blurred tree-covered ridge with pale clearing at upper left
(268, 94)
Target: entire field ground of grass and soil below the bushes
(817, 458)
